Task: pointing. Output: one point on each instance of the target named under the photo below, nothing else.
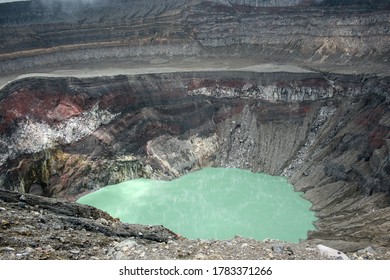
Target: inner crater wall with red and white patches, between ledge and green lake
(329, 134)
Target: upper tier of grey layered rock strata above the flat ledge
(316, 34)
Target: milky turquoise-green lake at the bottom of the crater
(213, 203)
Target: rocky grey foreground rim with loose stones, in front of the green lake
(38, 228)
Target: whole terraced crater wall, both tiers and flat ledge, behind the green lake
(183, 85)
